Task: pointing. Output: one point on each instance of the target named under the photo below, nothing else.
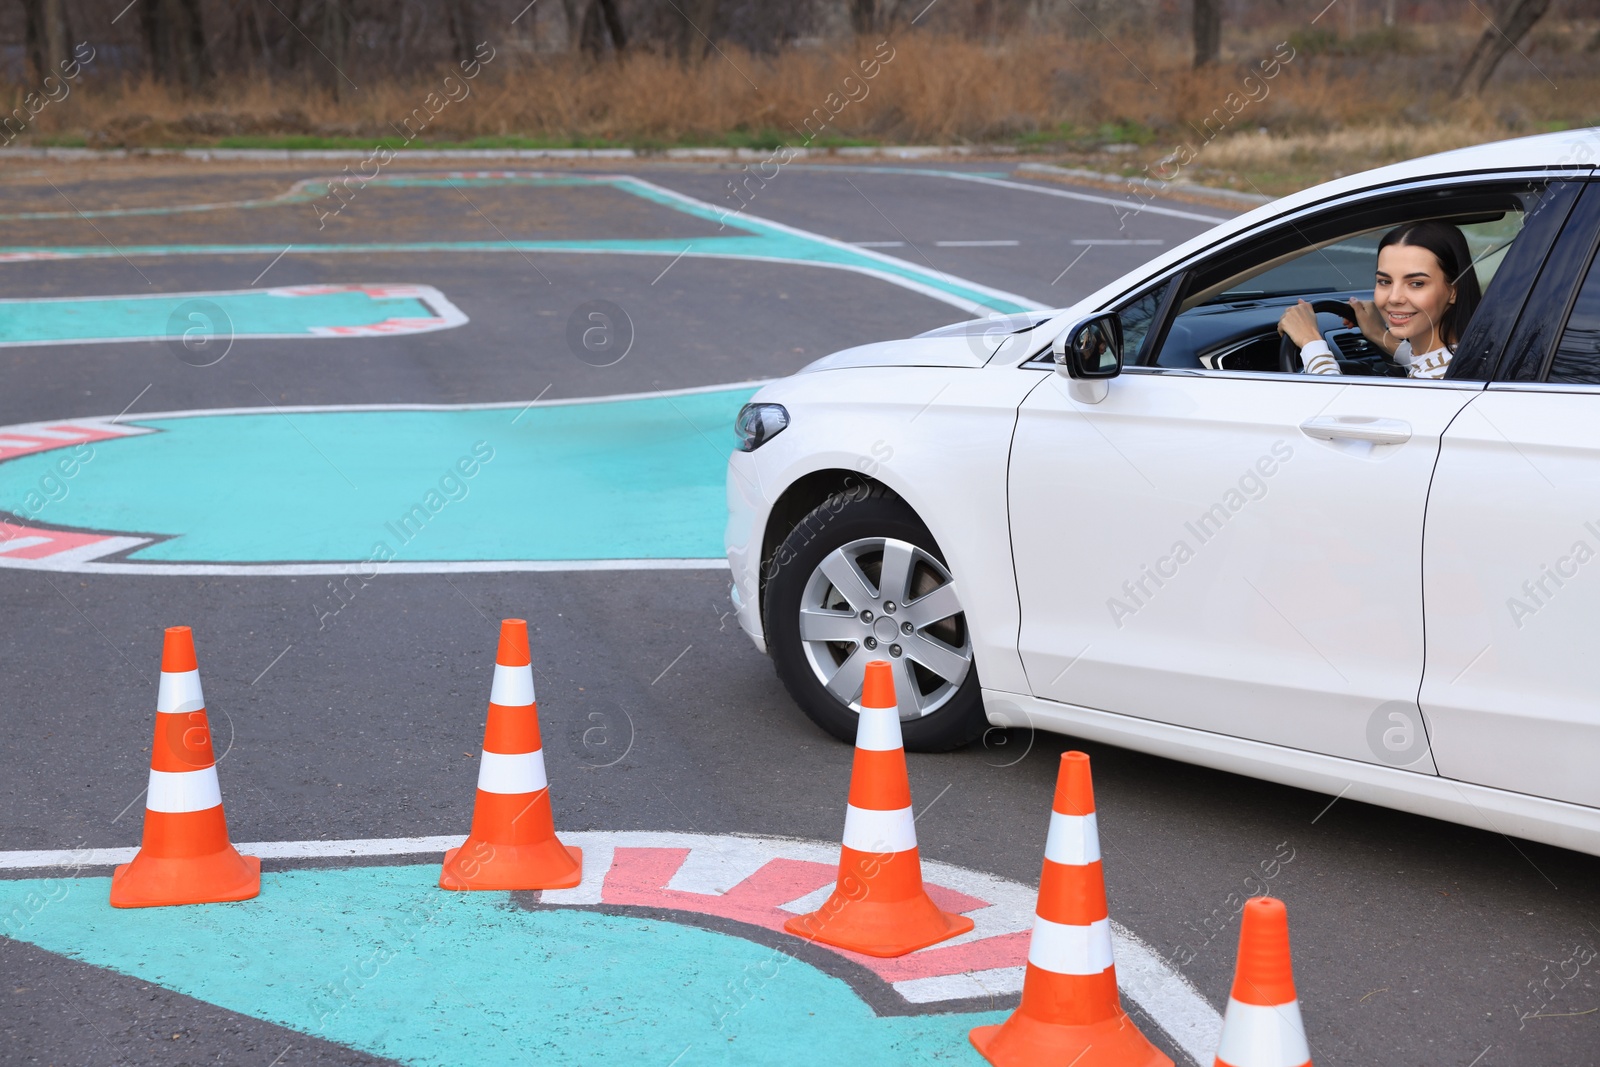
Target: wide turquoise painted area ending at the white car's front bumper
(634, 479)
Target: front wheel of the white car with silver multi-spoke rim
(860, 578)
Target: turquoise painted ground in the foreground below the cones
(382, 961)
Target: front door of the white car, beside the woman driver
(1241, 551)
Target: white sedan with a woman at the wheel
(1370, 586)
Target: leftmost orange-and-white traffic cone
(186, 857)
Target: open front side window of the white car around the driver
(1226, 314)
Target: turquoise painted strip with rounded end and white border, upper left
(311, 311)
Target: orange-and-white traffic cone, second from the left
(513, 844)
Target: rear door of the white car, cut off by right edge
(1513, 551)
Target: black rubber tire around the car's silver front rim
(844, 521)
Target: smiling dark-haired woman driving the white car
(1425, 295)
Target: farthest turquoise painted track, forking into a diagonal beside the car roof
(762, 241)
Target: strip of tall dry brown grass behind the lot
(1079, 102)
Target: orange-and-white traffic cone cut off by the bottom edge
(1263, 1026)
